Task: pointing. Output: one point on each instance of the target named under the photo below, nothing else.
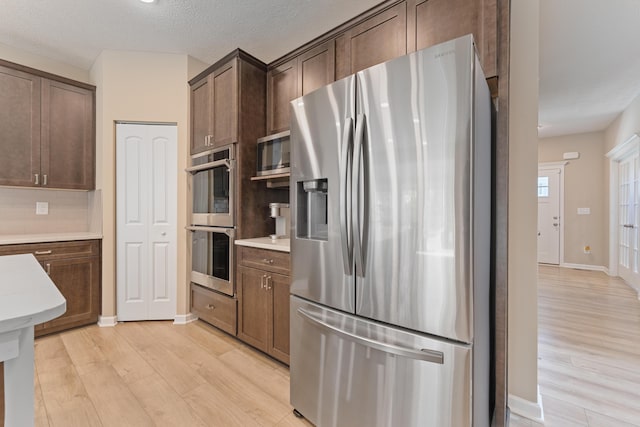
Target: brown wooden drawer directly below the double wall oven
(210, 306)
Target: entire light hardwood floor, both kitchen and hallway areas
(157, 373)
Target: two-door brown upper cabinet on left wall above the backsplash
(47, 131)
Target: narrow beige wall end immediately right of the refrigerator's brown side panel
(523, 154)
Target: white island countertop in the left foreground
(27, 294)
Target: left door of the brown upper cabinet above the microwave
(282, 88)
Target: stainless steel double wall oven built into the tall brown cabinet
(213, 179)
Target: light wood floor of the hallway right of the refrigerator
(588, 350)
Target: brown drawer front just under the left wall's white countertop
(55, 250)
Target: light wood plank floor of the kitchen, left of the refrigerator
(157, 374)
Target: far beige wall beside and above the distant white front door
(583, 188)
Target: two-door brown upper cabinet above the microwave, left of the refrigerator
(304, 73)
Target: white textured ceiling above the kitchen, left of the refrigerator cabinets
(76, 31)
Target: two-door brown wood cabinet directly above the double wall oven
(214, 108)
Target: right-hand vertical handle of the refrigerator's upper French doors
(355, 194)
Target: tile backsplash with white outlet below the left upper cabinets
(69, 211)
